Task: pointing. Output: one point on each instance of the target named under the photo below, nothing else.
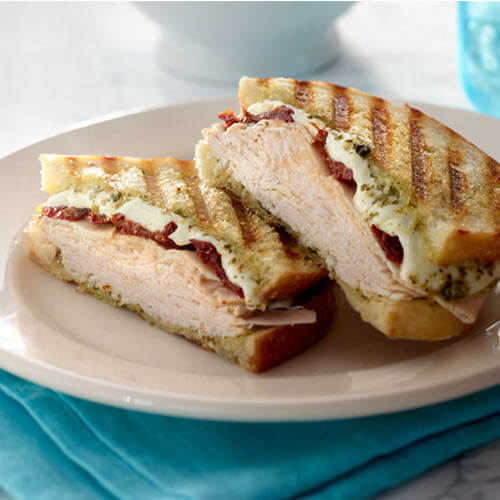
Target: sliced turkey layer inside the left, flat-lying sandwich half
(174, 286)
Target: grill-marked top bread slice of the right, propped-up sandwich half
(445, 181)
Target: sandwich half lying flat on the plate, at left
(189, 258)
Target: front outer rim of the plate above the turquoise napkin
(176, 405)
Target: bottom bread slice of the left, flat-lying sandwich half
(258, 350)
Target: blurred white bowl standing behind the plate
(223, 40)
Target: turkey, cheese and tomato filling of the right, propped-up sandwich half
(385, 229)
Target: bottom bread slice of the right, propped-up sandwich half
(417, 319)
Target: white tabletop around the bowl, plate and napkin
(64, 63)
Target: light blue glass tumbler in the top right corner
(479, 54)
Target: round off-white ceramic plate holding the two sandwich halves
(73, 343)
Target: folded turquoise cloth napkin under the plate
(54, 446)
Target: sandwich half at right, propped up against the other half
(402, 211)
